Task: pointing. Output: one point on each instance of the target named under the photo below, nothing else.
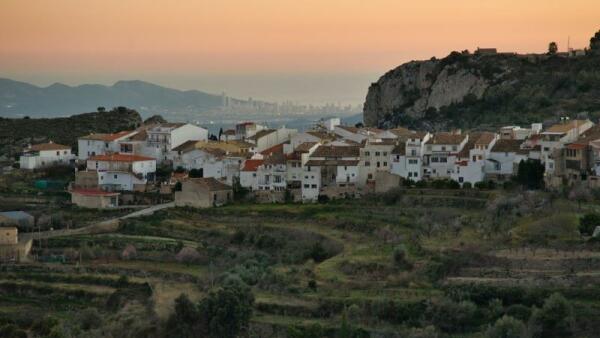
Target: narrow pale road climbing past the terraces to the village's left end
(110, 225)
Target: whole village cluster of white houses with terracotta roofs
(331, 160)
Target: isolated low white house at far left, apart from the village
(45, 155)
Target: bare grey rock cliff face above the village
(417, 86)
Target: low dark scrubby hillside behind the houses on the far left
(16, 133)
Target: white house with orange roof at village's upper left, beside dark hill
(100, 144)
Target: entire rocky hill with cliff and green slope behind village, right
(485, 91)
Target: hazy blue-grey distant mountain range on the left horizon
(19, 99)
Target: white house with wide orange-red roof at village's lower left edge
(122, 171)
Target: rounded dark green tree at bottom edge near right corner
(555, 317)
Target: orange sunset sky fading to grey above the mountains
(310, 51)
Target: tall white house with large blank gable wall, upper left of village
(164, 137)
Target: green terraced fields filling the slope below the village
(387, 266)
